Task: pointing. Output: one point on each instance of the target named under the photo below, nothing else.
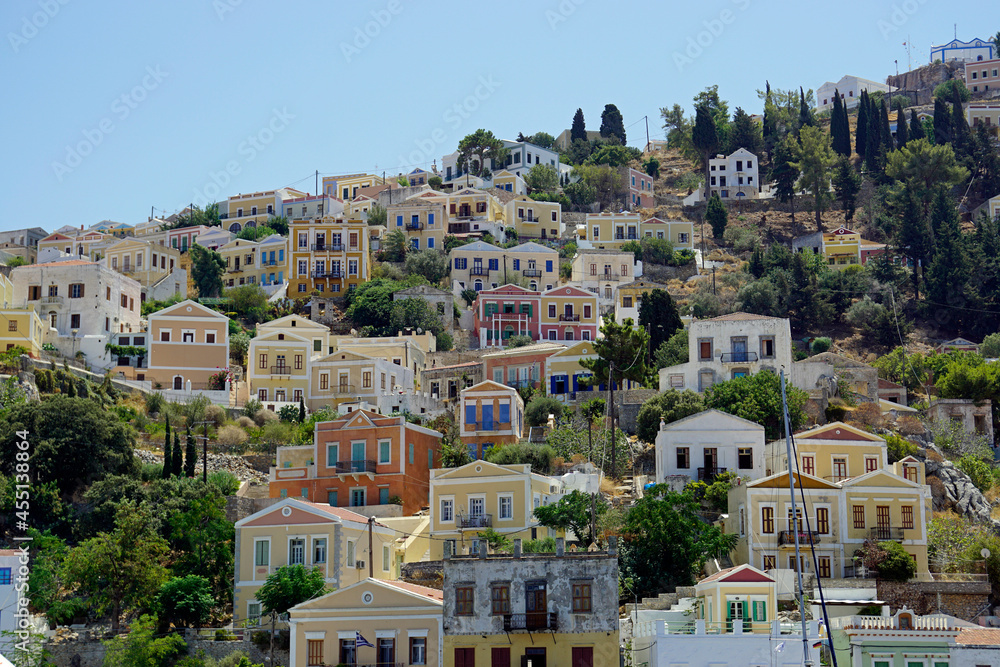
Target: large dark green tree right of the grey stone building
(666, 542)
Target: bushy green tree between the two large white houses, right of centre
(757, 398)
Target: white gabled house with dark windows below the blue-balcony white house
(701, 446)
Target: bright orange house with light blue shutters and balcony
(361, 459)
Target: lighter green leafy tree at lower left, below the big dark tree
(120, 570)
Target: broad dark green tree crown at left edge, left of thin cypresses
(76, 442)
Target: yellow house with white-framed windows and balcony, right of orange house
(480, 495)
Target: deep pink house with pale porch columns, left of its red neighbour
(504, 312)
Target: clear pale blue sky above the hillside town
(113, 107)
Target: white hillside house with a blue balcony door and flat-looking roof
(730, 346)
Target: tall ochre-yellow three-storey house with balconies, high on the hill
(328, 255)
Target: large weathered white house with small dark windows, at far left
(81, 303)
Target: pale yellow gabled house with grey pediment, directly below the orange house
(298, 532)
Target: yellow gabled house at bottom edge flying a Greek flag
(400, 624)
